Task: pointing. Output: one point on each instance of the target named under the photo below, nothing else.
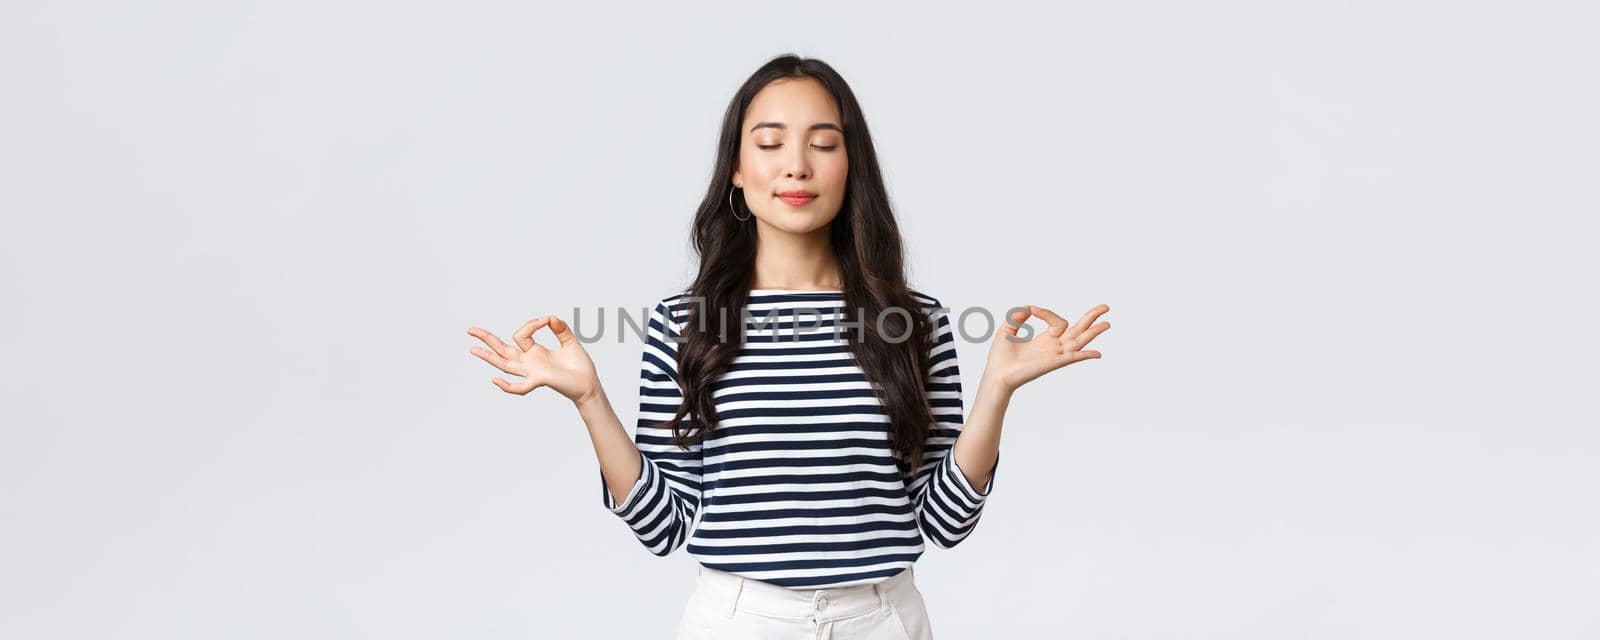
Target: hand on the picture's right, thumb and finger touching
(1015, 362)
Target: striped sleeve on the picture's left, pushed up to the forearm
(660, 510)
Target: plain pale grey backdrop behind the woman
(1348, 246)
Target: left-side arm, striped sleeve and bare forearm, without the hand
(658, 482)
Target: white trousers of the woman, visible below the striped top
(726, 607)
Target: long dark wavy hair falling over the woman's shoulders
(868, 247)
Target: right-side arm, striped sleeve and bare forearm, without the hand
(946, 492)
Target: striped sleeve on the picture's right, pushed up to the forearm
(948, 505)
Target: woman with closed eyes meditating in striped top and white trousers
(822, 438)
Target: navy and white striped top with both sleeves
(798, 486)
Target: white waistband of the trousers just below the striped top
(734, 593)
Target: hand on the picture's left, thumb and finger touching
(567, 369)
